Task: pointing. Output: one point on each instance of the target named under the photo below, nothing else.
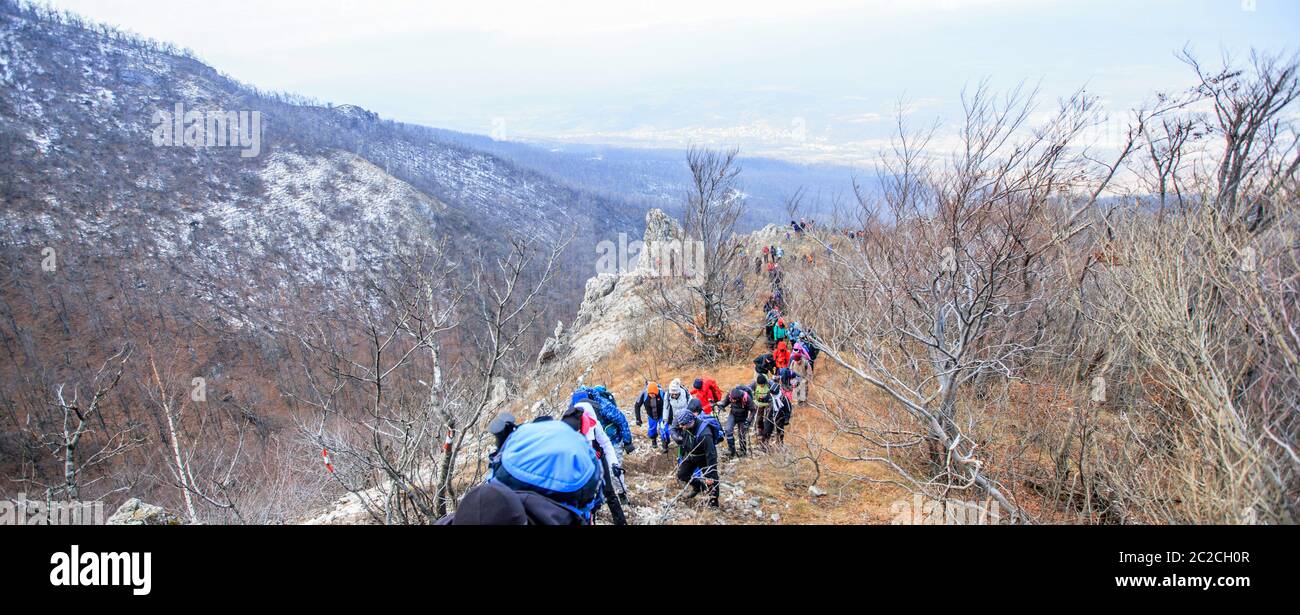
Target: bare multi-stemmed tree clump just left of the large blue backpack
(395, 418)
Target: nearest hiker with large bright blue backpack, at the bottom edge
(543, 475)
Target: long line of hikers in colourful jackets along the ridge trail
(561, 473)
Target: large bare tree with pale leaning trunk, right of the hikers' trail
(926, 306)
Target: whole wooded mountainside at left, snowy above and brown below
(119, 235)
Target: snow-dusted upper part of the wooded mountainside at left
(328, 187)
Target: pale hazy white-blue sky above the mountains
(809, 80)
